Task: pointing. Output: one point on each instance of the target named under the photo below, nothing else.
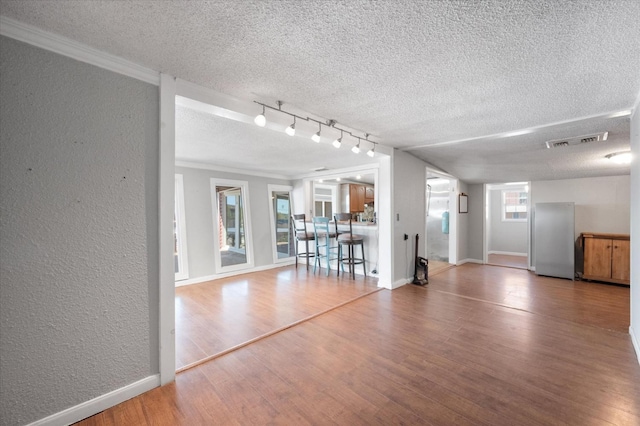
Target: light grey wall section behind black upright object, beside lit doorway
(409, 186)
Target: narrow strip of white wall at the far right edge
(635, 231)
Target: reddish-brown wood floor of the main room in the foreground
(478, 345)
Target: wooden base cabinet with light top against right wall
(607, 257)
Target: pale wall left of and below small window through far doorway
(504, 236)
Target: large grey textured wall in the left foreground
(78, 201)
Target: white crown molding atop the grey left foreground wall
(75, 50)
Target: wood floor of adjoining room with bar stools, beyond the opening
(218, 315)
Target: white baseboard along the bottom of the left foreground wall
(101, 403)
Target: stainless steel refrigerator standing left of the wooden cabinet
(554, 239)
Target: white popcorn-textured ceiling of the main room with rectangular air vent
(435, 78)
